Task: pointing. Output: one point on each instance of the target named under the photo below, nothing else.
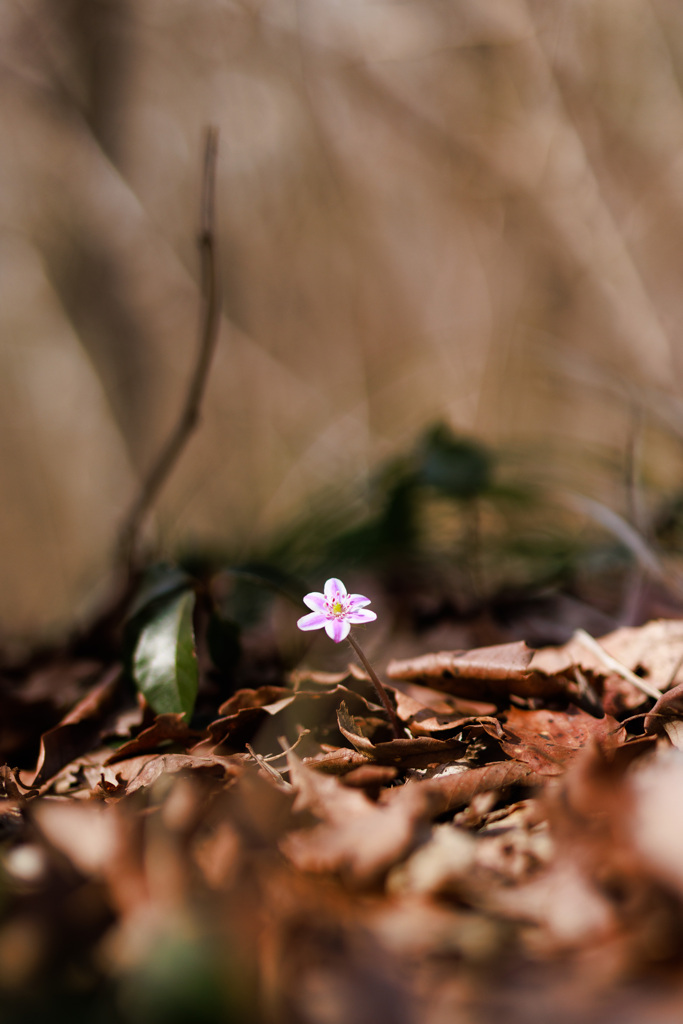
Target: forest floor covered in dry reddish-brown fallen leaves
(515, 855)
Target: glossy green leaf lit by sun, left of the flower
(165, 661)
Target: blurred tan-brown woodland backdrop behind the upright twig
(467, 212)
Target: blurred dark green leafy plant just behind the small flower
(444, 503)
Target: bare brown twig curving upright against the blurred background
(209, 323)
